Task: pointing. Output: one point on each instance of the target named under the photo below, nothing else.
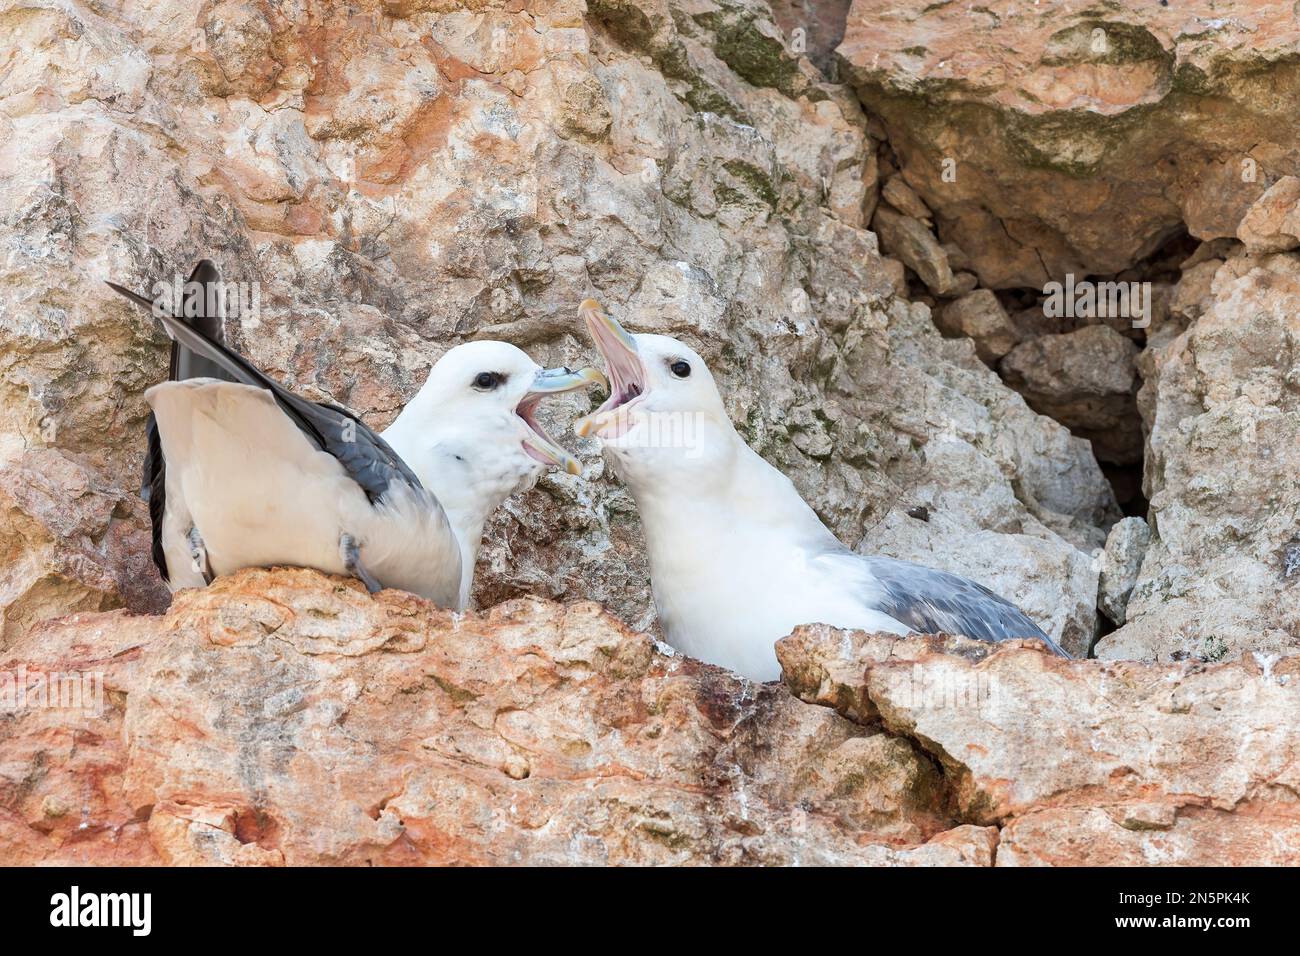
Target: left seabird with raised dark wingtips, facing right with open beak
(241, 473)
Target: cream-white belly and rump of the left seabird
(262, 495)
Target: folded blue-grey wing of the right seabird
(933, 602)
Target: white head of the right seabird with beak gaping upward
(665, 423)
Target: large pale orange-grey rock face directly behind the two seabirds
(398, 178)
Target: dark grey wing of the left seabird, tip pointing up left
(365, 456)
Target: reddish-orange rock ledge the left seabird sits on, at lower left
(284, 717)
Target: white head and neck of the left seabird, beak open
(473, 436)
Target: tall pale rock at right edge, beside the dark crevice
(1221, 406)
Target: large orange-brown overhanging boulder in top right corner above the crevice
(1071, 137)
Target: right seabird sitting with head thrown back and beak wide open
(738, 559)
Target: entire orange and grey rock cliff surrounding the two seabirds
(855, 213)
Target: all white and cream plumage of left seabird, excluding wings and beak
(261, 494)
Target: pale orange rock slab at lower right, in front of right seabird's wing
(1059, 754)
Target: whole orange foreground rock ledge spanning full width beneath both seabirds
(285, 717)
